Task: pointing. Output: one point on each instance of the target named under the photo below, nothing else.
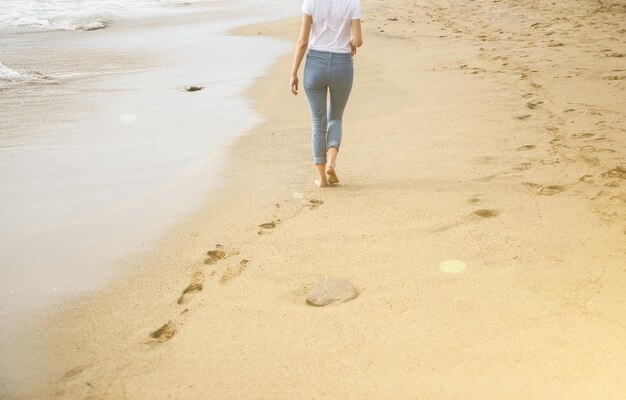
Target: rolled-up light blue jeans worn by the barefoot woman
(326, 72)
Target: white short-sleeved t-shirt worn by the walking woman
(331, 29)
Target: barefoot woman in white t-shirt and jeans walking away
(334, 30)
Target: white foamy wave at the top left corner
(45, 15)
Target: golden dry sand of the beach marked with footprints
(480, 214)
